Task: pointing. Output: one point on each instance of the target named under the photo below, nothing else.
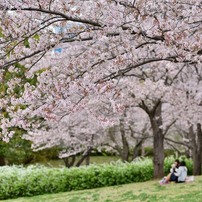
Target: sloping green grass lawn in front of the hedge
(149, 191)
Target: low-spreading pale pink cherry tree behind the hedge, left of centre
(74, 135)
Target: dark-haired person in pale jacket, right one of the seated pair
(178, 176)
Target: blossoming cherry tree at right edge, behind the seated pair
(190, 112)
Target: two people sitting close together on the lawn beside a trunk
(178, 173)
